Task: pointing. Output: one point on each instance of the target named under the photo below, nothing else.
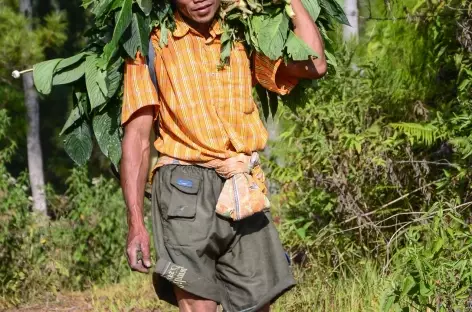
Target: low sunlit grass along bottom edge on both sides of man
(315, 292)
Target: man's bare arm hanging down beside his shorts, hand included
(134, 174)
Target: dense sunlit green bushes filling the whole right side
(376, 164)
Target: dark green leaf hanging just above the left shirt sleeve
(138, 36)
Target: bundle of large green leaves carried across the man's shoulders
(122, 28)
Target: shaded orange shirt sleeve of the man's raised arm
(265, 71)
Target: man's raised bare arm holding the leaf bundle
(306, 29)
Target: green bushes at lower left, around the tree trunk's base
(82, 245)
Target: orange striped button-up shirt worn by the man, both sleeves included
(204, 112)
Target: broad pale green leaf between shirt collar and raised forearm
(273, 34)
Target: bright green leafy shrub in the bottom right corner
(433, 267)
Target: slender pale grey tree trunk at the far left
(35, 156)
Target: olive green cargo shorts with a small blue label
(239, 264)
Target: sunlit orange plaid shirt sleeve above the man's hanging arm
(139, 91)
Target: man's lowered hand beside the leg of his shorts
(138, 249)
